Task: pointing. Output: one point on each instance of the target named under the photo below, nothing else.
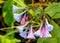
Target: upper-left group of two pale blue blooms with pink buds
(22, 17)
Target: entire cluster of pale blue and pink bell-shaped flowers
(43, 30)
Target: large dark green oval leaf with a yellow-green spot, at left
(7, 12)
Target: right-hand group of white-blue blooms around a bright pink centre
(44, 30)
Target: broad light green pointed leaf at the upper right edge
(53, 10)
